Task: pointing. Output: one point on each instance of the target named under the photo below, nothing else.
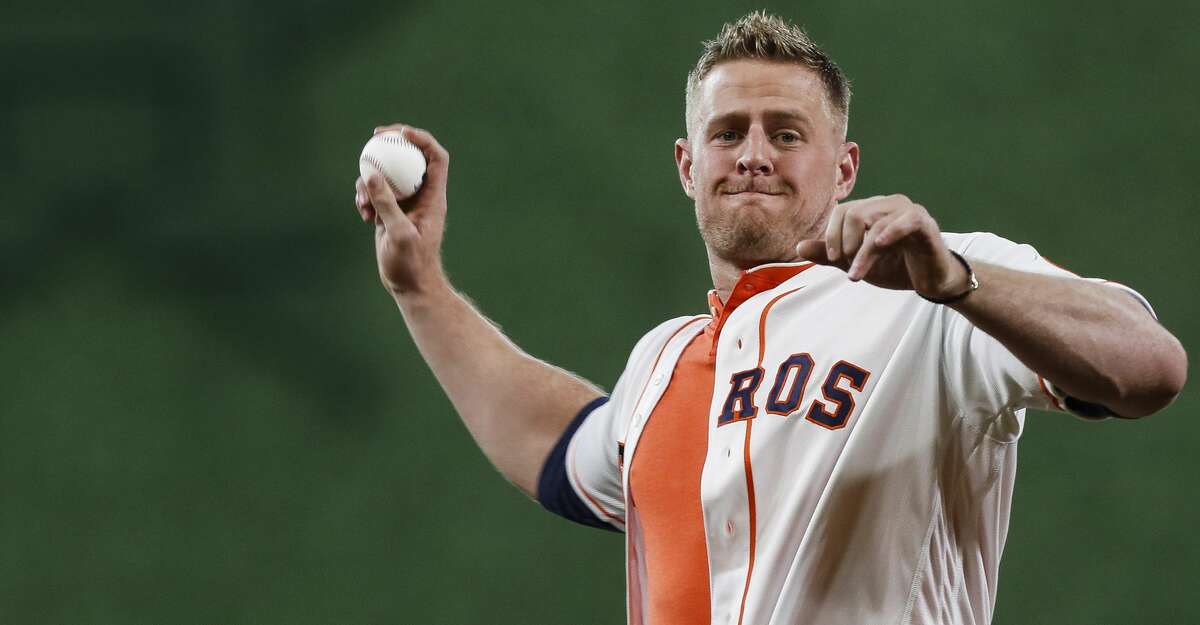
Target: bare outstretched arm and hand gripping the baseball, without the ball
(515, 406)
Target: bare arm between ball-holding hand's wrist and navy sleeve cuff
(514, 405)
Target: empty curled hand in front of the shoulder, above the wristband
(892, 243)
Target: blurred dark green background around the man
(211, 412)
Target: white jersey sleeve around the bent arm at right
(982, 376)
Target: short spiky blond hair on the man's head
(763, 37)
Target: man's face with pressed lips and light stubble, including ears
(766, 160)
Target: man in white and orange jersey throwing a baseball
(836, 441)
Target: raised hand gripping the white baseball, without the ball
(409, 235)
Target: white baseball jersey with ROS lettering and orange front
(815, 452)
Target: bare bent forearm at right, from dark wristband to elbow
(1095, 342)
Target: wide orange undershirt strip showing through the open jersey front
(664, 494)
